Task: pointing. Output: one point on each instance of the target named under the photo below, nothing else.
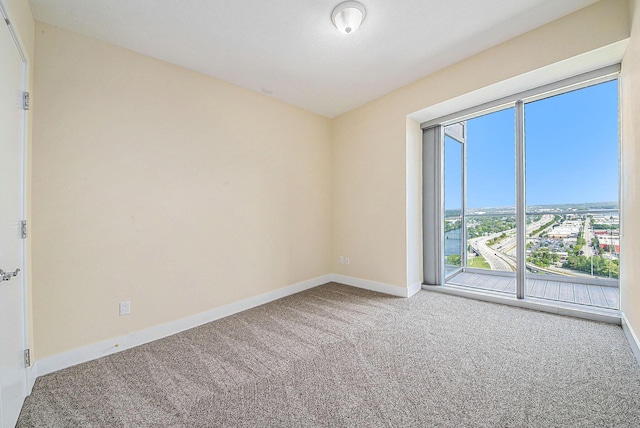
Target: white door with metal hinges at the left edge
(13, 379)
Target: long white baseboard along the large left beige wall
(91, 352)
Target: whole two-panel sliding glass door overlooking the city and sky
(530, 196)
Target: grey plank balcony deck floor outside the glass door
(582, 294)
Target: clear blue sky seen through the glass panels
(571, 152)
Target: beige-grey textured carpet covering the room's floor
(337, 356)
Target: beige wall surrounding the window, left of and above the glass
(371, 224)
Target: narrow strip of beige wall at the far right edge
(630, 252)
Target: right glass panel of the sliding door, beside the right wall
(573, 240)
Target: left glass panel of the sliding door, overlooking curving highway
(488, 223)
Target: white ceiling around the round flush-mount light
(290, 50)
